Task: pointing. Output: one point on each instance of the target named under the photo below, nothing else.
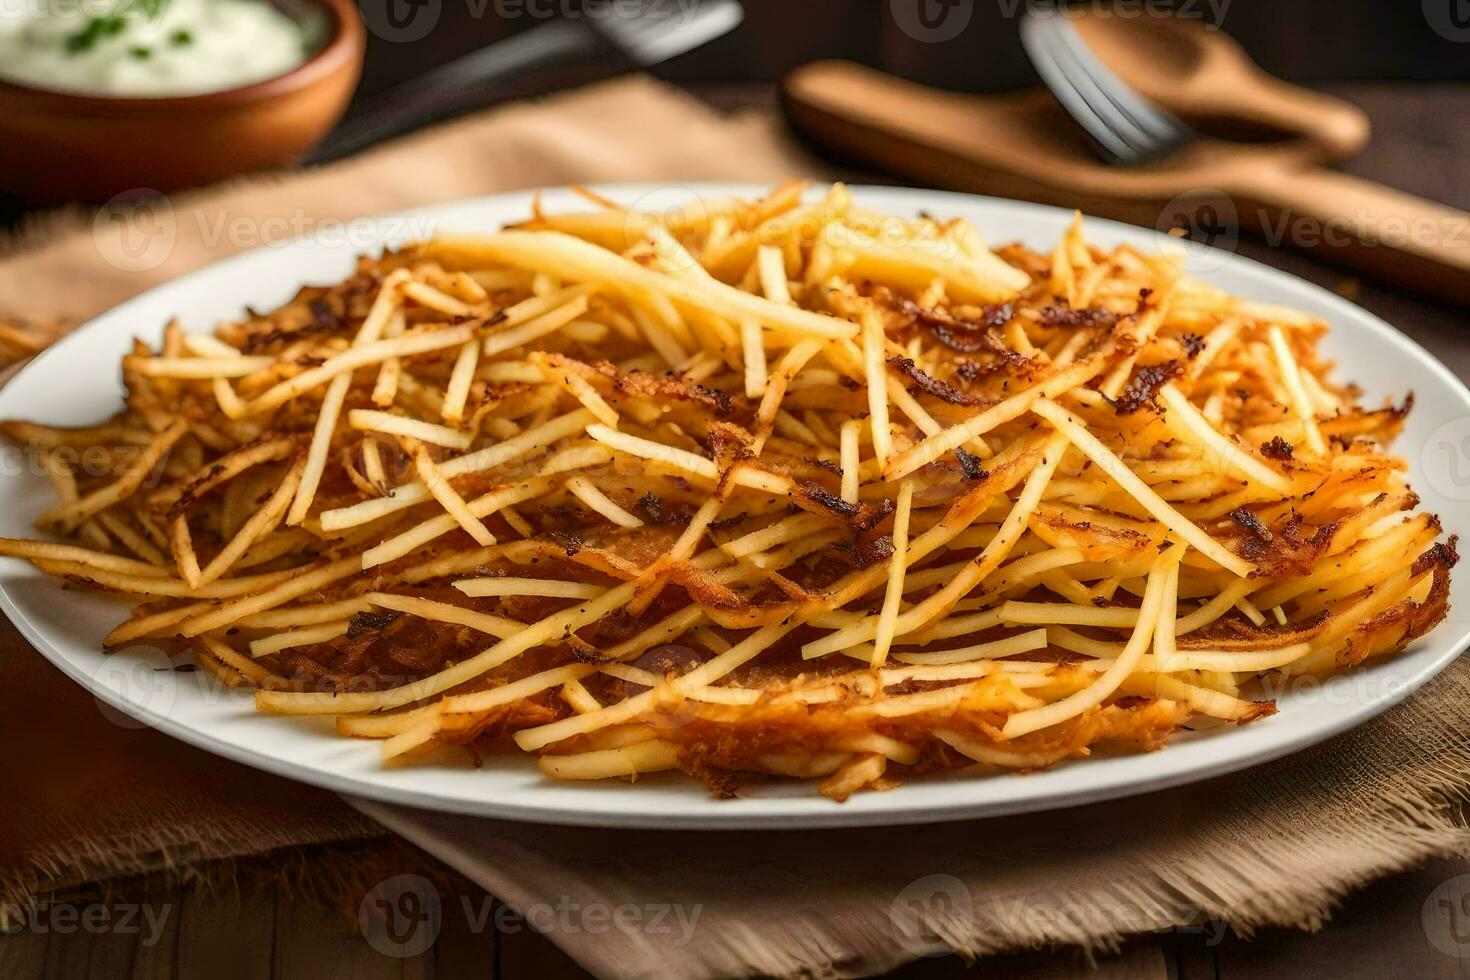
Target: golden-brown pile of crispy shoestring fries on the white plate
(775, 487)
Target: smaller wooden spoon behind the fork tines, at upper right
(1200, 73)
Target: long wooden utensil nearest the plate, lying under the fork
(1025, 146)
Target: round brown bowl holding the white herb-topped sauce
(71, 140)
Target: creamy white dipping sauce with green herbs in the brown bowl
(186, 48)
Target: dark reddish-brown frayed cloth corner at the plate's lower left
(90, 796)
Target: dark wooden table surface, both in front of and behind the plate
(1397, 928)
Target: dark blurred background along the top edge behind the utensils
(1305, 40)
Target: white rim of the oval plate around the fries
(731, 815)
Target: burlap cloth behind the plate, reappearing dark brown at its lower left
(86, 796)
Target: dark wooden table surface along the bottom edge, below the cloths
(262, 934)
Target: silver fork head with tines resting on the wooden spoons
(1125, 127)
